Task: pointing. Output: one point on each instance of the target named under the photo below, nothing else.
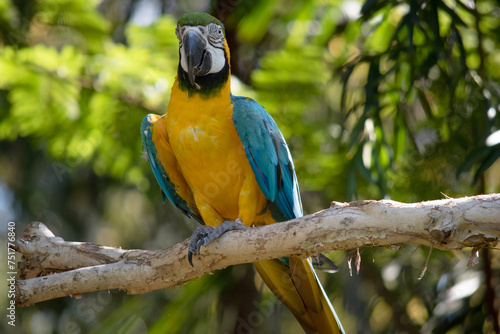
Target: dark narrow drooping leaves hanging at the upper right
(422, 67)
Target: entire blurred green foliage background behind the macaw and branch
(377, 99)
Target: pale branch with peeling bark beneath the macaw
(53, 268)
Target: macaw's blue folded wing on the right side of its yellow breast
(268, 155)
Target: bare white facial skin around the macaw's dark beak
(215, 48)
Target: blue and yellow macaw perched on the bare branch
(222, 160)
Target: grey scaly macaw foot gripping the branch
(205, 234)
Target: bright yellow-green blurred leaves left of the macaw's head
(83, 106)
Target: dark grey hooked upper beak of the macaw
(198, 60)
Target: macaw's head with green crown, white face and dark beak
(203, 52)
